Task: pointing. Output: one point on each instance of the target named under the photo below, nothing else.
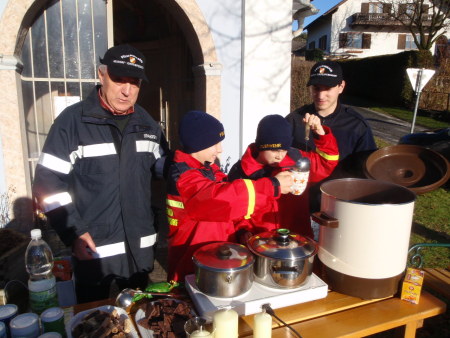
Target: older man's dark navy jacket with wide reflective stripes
(93, 178)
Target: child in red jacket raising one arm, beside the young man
(271, 154)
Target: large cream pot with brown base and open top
(364, 235)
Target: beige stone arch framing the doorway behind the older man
(15, 22)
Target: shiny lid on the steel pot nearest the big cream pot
(282, 244)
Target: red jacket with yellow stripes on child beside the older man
(202, 206)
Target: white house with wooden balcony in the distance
(360, 28)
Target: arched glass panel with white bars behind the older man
(60, 56)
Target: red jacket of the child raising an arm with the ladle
(290, 211)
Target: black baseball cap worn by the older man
(125, 61)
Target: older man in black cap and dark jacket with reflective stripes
(93, 179)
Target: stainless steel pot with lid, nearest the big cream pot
(284, 260)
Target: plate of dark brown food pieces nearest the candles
(163, 318)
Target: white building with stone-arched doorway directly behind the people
(230, 58)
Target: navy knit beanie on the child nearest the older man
(199, 130)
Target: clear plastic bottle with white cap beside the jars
(42, 283)
